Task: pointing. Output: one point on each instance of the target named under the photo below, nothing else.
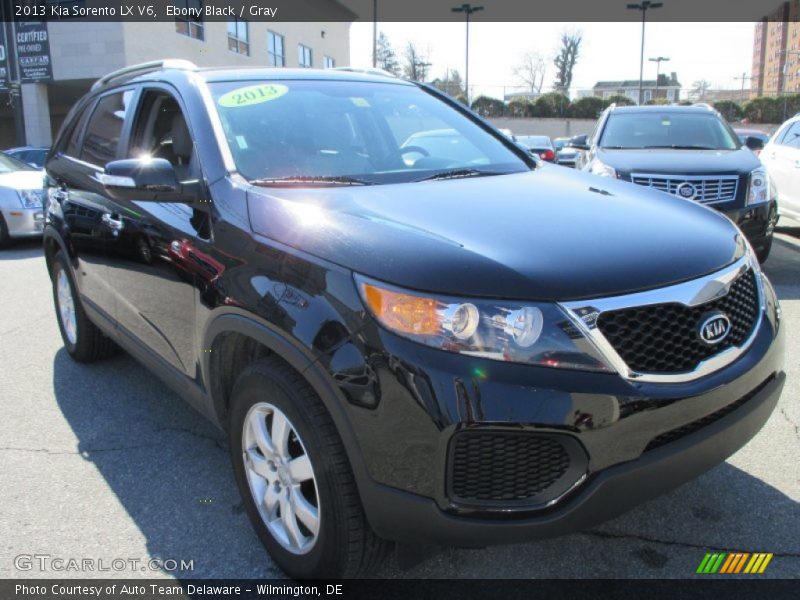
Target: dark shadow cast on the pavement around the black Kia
(170, 470)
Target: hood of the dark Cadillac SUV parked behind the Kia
(683, 162)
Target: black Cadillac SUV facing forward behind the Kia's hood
(690, 152)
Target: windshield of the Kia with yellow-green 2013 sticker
(351, 131)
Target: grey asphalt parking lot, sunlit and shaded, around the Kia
(104, 462)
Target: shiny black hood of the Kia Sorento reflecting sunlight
(541, 235)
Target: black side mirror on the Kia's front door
(148, 179)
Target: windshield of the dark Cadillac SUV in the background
(702, 131)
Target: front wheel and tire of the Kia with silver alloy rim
(267, 392)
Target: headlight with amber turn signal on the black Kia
(532, 333)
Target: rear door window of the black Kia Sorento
(101, 140)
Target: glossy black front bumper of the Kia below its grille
(638, 439)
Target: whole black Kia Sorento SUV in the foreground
(452, 345)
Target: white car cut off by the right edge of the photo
(781, 157)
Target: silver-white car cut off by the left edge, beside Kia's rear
(21, 213)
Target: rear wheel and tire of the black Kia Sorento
(82, 339)
